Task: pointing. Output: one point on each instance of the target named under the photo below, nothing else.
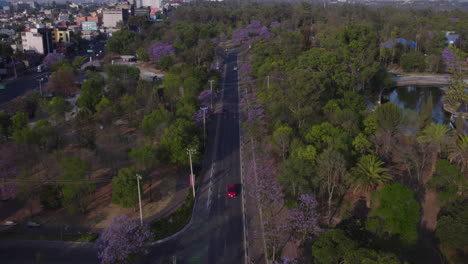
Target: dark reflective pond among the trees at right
(412, 97)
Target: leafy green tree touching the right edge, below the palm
(449, 181)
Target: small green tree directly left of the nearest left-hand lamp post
(125, 189)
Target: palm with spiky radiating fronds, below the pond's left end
(369, 173)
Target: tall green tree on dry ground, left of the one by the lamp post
(77, 185)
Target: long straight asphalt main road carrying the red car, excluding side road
(216, 235)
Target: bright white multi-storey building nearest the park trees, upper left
(38, 40)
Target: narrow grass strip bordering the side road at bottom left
(51, 237)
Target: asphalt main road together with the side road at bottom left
(216, 233)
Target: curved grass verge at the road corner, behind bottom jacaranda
(170, 225)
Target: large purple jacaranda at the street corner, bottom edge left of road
(123, 240)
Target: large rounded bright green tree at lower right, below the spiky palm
(395, 214)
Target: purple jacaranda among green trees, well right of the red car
(303, 220)
